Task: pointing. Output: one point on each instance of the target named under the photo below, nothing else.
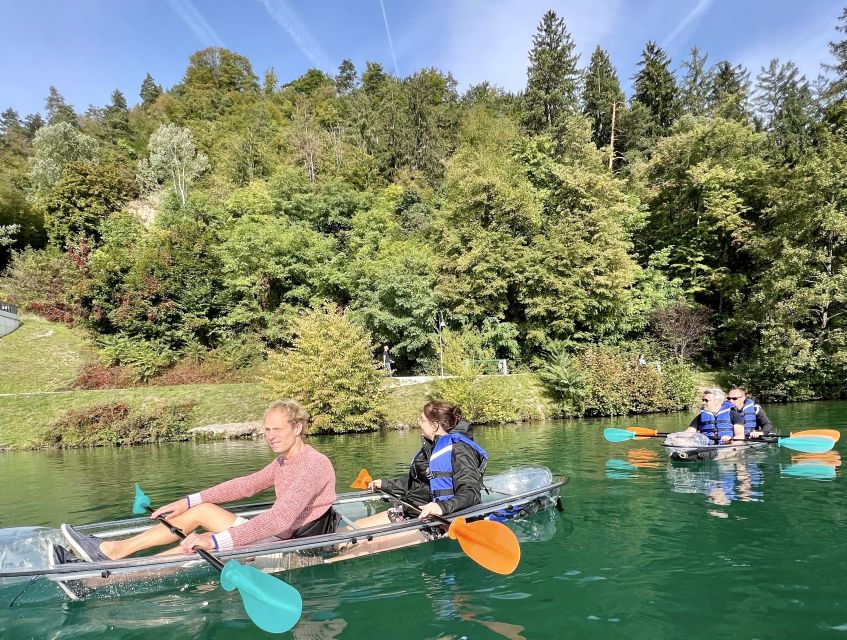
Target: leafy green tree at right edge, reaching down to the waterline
(800, 302)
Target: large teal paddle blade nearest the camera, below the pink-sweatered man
(273, 605)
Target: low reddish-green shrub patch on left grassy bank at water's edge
(117, 424)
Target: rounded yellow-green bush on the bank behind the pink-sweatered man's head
(329, 370)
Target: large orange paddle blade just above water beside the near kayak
(488, 543)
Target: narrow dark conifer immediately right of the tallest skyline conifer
(601, 91)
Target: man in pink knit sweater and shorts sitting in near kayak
(303, 479)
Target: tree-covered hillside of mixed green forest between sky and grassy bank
(704, 219)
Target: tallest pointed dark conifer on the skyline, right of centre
(552, 77)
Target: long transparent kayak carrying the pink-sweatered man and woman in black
(513, 494)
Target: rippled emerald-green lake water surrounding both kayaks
(746, 548)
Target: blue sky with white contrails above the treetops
(87, 48)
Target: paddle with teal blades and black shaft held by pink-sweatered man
(273, 605)
